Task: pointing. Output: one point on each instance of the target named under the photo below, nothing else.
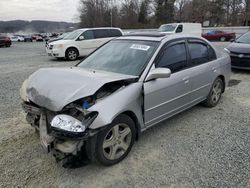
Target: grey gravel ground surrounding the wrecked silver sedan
(201, 147)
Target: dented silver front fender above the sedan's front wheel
(128, 98)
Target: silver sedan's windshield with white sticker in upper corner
(121, 56)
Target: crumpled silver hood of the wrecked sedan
(54, 88)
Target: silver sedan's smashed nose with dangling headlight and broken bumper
(64, 134)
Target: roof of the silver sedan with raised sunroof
(157, 36)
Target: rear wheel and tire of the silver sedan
(214, 94)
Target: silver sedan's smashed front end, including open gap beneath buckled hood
(67, 133)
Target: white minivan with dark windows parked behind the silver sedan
(81, 42)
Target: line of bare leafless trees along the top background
(152, 13)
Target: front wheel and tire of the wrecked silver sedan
(115, 142)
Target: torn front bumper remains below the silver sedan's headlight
(60, 143)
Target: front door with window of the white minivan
(87, 44)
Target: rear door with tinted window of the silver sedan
(202, 66)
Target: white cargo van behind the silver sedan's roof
(183, 28)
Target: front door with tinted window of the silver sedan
(168, 96)
